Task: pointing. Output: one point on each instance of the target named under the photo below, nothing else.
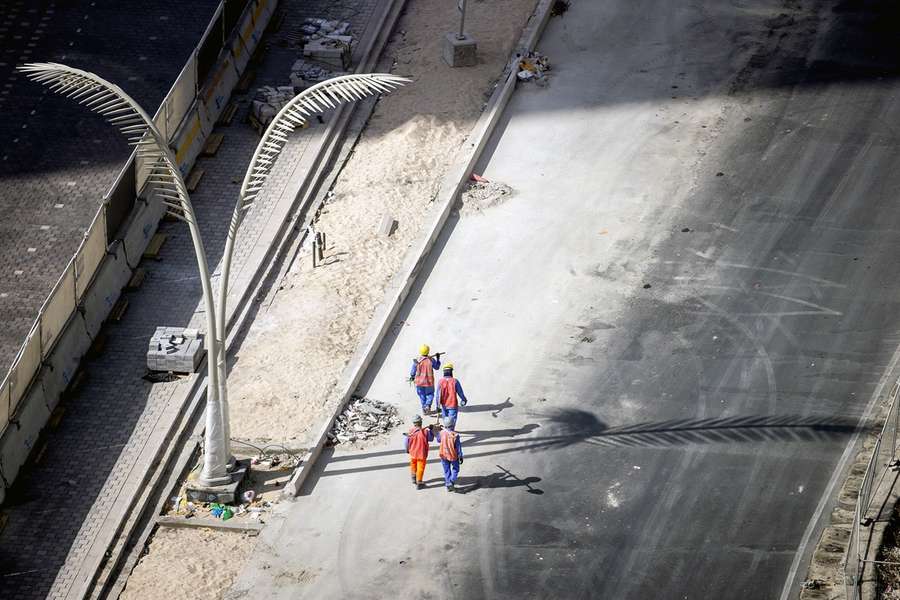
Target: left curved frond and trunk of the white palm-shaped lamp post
(122, 111)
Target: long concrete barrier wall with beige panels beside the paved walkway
(92, 282)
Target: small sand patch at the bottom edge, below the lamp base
(189, 564)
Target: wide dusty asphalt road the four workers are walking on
(668, 335)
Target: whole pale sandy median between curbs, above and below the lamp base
(286, 370)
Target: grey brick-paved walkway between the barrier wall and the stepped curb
(61, 503)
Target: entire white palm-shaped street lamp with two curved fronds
(166, 181)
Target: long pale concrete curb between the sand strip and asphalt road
(400, 285)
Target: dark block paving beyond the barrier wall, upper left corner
(57, 160)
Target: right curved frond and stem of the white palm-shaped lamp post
(315, 99)
